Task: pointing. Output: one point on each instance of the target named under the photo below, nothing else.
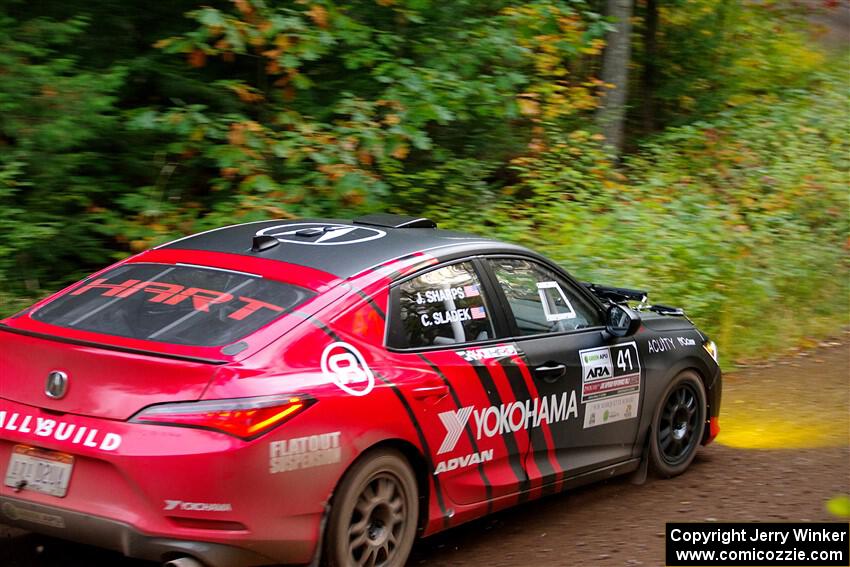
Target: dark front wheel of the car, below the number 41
(678, 424)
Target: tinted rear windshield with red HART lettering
(186, 305)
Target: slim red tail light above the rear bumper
(246, 418)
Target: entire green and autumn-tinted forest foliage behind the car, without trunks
(124, 124)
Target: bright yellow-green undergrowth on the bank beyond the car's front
(742, 221)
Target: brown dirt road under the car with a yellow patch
(783, 452)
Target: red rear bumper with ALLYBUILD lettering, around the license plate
(166, 492)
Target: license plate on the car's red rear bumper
(42, 471)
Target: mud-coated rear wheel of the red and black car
(373, 517)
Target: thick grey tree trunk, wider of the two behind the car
(615, 71)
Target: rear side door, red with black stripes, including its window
(443, 326)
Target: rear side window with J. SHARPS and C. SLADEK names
(442, 307)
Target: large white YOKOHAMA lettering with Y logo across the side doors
(507, 418)
